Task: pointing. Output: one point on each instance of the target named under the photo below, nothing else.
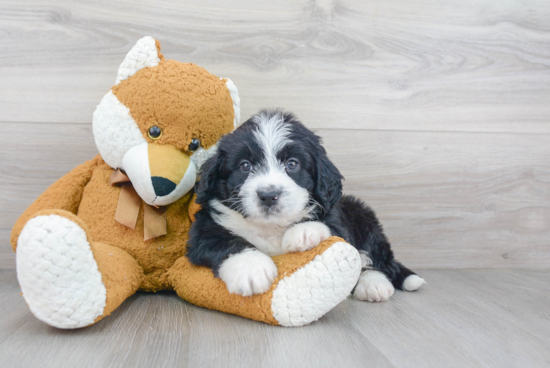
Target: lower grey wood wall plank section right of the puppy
(453, 200)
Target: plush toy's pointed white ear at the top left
(146, 52)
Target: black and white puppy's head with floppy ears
(271, 169)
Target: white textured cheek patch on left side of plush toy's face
(115, 131)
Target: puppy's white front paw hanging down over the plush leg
(247, 273)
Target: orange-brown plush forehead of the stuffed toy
(184, 100)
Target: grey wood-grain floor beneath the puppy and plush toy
(462, 318)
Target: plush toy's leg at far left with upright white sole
(67, 280)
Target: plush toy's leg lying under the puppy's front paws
(308, 285)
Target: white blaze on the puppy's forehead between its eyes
(272, 135)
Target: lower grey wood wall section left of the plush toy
(33, 158)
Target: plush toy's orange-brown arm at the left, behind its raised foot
(64, 194)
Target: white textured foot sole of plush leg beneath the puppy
(316, 288)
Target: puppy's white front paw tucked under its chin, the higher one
(304, 236)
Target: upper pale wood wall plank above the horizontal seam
(446, 66)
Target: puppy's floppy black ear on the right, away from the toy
(328, 186)
